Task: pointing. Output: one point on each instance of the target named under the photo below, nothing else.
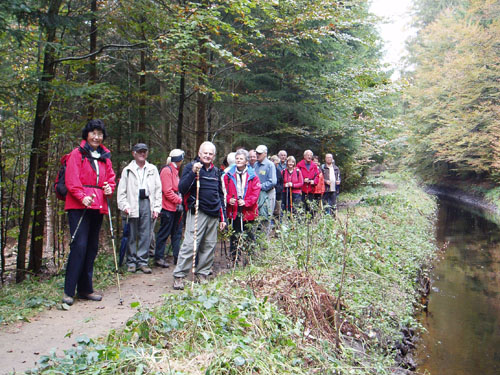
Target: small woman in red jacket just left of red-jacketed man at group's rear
(292, 186)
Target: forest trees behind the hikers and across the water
(289, 74)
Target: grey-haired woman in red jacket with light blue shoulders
(243, 189)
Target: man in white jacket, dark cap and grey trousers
(139, 198)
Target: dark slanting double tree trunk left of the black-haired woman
(39, 146)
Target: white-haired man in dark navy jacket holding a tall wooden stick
(210, 215)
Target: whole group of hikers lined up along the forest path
(204, 199)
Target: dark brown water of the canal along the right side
(463, 319)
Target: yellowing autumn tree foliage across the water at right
(453, 99)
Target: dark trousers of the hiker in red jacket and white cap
(171, 224)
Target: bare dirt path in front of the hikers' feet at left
(23, 343)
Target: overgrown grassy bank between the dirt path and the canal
(324, 296)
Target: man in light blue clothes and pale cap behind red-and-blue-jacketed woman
(266, 171)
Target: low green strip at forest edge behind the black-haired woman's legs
(20, 302)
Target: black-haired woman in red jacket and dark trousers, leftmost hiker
(90, 180)
